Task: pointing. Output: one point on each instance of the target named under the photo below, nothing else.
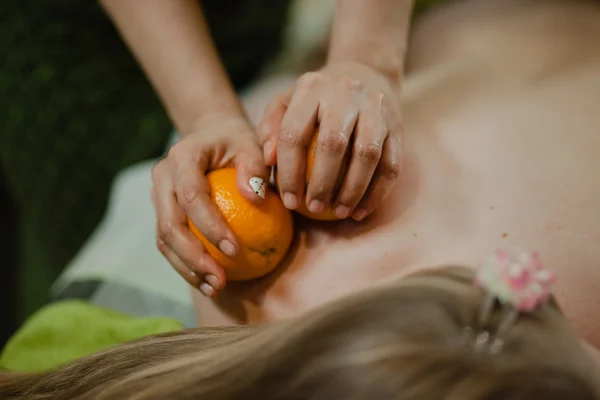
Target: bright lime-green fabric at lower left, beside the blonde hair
(65, 331)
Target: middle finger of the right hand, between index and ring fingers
(335, 131)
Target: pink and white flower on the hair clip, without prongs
(516, 278)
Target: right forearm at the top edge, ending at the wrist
(372, 32)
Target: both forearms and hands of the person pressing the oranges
(354, 99)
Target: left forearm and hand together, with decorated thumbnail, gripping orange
(172, 43)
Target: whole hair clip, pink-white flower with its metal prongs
(519, 281)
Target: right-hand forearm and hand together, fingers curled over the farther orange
(354, 100)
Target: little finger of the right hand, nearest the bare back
(383, 180)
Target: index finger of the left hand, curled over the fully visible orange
(193, 197)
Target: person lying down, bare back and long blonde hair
(501, 146)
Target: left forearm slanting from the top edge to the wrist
(172, 43)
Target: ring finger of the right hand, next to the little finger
(367, 149)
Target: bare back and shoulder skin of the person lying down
(501, 114)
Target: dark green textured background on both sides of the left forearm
(75, 109)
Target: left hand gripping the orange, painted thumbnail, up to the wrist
(180, 190)
